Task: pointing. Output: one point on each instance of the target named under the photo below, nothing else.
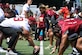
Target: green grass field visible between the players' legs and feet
(23, 48)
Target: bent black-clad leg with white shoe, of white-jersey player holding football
(13, 33)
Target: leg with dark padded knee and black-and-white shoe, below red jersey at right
(73, 39)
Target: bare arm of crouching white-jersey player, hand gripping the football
(30, 40)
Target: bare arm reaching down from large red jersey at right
(64, 44)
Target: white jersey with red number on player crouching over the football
(16, 23)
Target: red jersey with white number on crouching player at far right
(69, 24)
